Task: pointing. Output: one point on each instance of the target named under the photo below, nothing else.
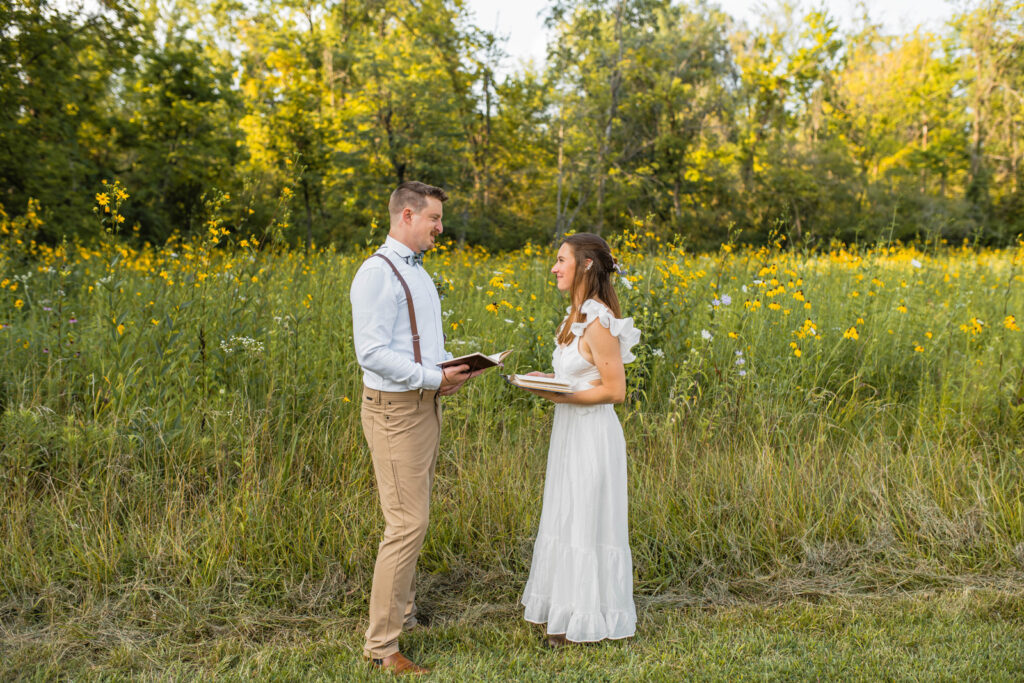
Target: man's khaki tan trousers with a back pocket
(404, 433)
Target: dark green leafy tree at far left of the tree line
(59, 123)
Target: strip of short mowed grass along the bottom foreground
(955, 635)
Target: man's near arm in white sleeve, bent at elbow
(374, 313)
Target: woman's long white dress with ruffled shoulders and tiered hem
(581, 578)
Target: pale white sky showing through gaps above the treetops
(523, 22)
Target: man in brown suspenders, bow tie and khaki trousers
(399, 349)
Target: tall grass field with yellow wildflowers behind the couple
(182, 445)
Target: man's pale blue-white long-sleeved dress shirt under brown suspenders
(380, 323)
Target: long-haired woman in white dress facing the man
(581, 579)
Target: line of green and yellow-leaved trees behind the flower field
(296, 118)
